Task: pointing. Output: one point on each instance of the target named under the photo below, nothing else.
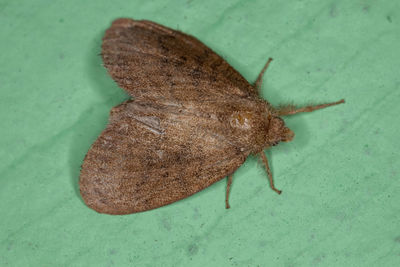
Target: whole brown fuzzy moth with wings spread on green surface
(193, 121)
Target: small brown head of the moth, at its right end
(277, 131)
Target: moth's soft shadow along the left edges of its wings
(93, 119)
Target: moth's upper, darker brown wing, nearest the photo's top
(149, 60)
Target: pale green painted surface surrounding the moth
(340, 204)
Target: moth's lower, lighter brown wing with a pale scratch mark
(150, 156)
